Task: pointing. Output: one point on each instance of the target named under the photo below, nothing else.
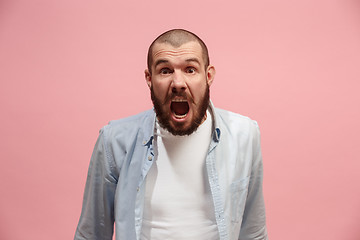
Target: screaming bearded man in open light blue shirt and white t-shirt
(184, 170)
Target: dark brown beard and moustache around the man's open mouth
(164, 116)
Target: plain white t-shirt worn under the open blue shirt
(178, 202)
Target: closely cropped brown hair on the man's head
(176, 38)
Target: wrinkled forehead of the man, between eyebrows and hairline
(167, 51)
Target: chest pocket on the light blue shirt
(239, 191)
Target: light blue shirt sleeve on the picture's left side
(97, 215)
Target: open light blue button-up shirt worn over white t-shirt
(123, 155)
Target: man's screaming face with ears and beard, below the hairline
(179, 85)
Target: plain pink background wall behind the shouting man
(68, 67)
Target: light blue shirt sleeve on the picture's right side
(254, 224)
